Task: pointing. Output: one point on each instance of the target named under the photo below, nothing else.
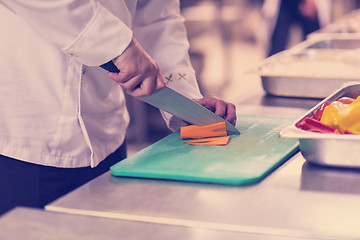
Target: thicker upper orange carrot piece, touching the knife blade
(212, 130)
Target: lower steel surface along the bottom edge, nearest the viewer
(31, 224)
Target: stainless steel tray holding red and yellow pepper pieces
(340, 150)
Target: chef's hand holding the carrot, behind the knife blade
(219, 107)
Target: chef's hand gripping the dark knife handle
(139, 73)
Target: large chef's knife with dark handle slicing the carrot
(180, 106)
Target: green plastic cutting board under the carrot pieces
(247, 159)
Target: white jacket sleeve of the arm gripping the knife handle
(83, 29)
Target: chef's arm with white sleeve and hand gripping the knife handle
(87, 31)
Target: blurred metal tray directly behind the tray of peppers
(312, 69)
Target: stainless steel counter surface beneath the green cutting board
(296, 200)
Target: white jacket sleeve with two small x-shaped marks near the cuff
(160, 29)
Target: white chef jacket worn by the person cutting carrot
(57, 107)
